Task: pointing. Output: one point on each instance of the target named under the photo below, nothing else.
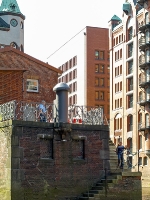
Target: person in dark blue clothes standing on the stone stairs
(119, 150)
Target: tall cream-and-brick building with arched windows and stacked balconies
(130, 82)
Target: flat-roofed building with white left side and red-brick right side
(84, 61)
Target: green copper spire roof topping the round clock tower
(10, 6)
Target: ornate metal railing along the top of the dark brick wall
(29, 111)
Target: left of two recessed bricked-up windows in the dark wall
(46, 148)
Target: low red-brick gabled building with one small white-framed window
(23, 77)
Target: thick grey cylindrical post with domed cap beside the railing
(61, 112)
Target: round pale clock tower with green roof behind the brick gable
(11, 25)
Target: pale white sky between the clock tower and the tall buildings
(50, 23)
